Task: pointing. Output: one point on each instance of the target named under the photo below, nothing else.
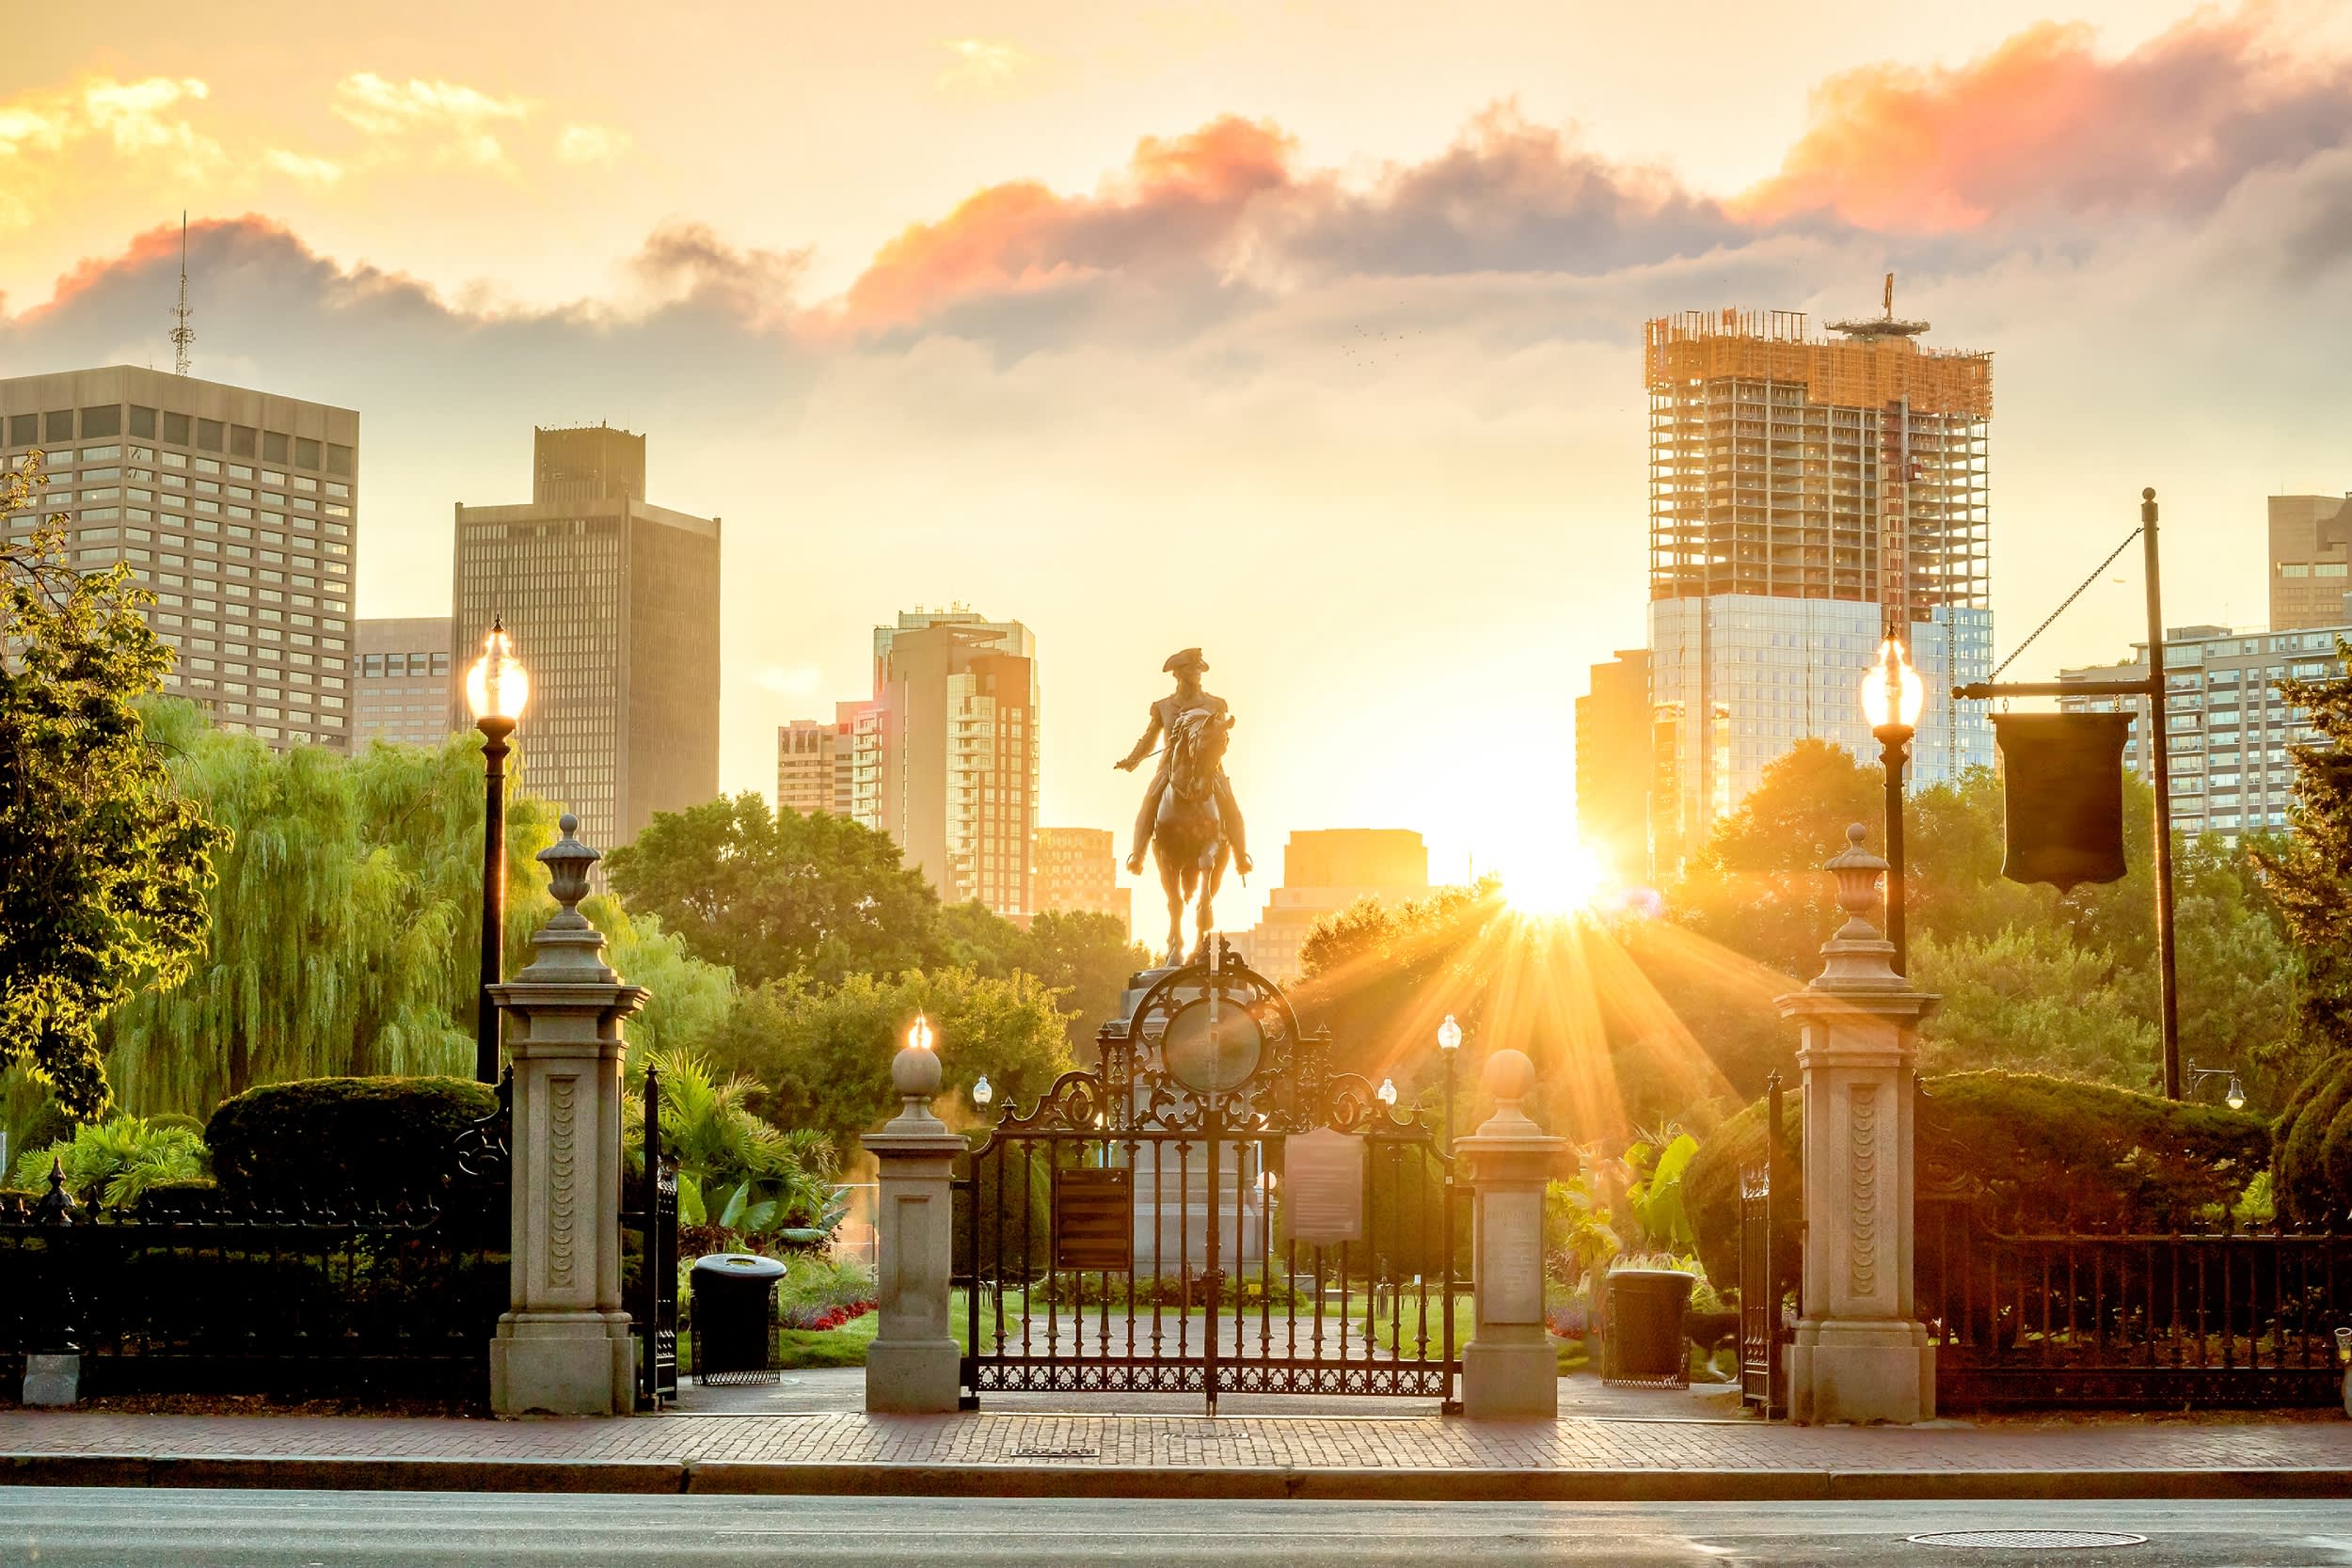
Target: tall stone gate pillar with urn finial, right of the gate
(1859, 1355)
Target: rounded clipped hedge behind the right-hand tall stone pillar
(2043, 1151)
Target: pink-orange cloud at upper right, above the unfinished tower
(2047, 128)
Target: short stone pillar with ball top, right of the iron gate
(1509, 1367)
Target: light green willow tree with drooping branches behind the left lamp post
(345, 920)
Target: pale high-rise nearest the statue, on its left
(944, 760)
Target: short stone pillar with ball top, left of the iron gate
(914, 1367)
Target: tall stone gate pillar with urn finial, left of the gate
(563, 1346)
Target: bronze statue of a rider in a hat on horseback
(1189, 817)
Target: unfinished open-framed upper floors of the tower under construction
(1817, 469)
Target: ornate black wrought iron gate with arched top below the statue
(1212, 1209)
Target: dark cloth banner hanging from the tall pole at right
(2064, 777)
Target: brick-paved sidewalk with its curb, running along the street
(1683, 1449)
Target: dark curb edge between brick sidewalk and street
(744, 1477)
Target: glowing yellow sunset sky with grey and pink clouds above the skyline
(1302, 333)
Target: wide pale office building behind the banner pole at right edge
(2226, 728)
